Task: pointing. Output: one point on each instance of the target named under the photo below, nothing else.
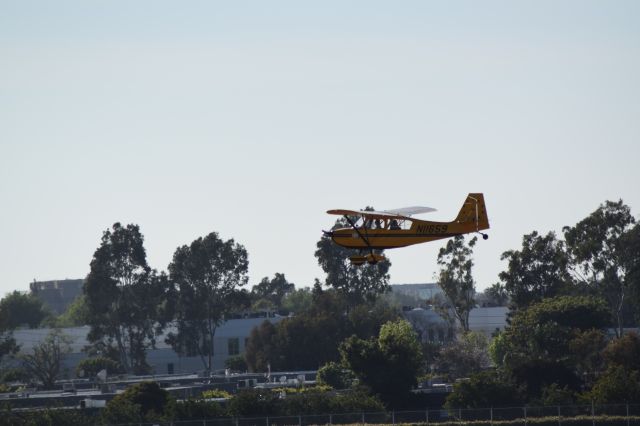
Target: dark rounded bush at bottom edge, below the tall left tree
(141, 402)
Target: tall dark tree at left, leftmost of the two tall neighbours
(124, 297)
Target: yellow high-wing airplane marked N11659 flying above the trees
(378, 230)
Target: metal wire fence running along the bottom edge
(573, 415)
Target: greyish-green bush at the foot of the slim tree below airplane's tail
(464, 356)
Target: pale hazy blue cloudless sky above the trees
(252, 118)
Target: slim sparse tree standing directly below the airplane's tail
(455, 278)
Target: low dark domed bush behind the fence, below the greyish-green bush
(481, 390)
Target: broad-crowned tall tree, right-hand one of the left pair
(208, 275)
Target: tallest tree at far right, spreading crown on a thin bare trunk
(600, 254)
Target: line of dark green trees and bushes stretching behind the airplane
(564, 294)
